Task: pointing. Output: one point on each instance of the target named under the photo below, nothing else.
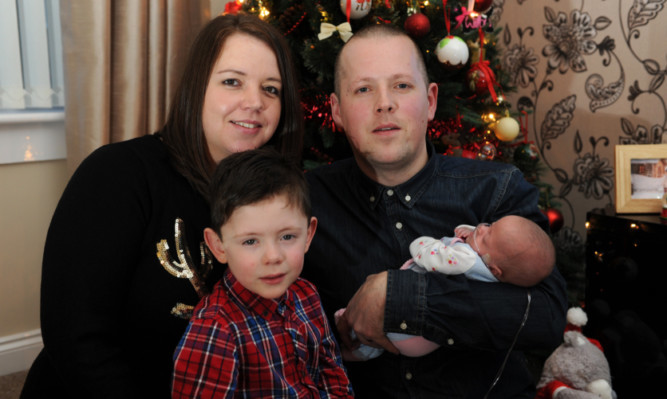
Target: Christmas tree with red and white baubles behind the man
(459, 46)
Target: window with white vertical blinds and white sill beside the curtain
(31, 81)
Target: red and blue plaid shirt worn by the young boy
(239, 344)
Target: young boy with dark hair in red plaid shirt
(262, 332)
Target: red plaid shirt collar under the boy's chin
(266, 308)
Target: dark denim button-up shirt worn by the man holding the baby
(366, 228)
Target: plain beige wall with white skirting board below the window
(29, 194)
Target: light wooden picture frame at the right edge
(638, 177)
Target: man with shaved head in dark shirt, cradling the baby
(396, 189)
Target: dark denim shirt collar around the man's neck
(407, 193)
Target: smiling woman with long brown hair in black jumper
(113, 309)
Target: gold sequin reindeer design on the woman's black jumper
(185, 267)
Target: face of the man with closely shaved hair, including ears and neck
(384, 106)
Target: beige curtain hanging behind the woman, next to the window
(122, 62)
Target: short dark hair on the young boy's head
(248, 177)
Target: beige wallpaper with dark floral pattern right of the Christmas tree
(590, 74)
